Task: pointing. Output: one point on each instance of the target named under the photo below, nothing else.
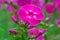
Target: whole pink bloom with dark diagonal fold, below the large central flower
(38, 34)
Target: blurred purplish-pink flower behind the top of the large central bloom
(39, 3)
